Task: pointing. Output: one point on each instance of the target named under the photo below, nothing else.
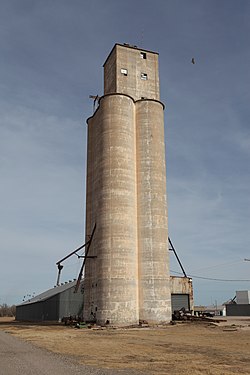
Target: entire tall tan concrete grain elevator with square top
(128, 281)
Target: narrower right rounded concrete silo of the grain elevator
(154, 281)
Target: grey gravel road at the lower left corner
(18, 357)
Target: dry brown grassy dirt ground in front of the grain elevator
(184, 348)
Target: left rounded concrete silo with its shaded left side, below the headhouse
(113, 275)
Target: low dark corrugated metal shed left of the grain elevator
(53, 304)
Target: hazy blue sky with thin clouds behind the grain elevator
(51, 60)
